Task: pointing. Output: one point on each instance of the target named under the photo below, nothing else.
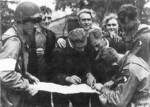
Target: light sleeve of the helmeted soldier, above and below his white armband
(10, 78)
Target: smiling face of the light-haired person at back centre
(85, 21)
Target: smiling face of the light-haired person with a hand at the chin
(112, 26)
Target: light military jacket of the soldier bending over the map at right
(131, 86)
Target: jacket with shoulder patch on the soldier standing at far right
(140, 43)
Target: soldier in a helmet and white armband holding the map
(16, 79)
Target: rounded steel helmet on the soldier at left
(27, 10)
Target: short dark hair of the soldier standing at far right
(127, 10)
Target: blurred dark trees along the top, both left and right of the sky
(101, 7)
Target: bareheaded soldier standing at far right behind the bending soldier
(136, 36)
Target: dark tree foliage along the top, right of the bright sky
(101, 7)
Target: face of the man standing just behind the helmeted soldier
(46, 19)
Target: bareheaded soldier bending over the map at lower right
(131, 86)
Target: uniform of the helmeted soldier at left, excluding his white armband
(13, 48)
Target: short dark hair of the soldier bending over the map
(107, 55)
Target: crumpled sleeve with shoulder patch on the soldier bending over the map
(122, 94)
